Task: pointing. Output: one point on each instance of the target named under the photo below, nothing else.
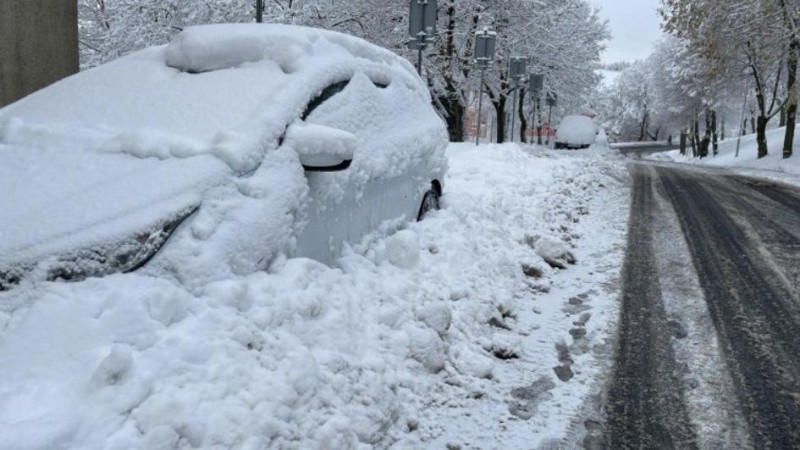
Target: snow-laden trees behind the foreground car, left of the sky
(564, 38)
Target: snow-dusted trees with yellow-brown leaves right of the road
(736, 37)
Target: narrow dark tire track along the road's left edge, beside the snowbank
(645, 406)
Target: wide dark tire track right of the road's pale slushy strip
(751, 308)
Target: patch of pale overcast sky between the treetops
(634, 28)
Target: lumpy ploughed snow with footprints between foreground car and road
(445, 333)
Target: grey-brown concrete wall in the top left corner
(38, 45)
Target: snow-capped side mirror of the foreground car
(321, 148)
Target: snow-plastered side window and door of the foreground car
(345, 206)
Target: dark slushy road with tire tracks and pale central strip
(708, 353)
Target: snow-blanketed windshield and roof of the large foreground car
(224, 90)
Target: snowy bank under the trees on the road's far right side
(773, 166)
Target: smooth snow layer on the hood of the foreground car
(56, 201)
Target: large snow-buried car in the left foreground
(214, 155)
